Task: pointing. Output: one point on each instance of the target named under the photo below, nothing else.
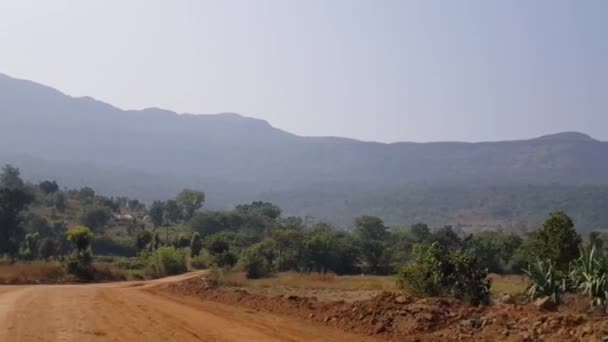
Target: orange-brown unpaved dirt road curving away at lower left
(139, 311)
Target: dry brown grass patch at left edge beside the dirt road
(31, 272)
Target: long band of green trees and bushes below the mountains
(41, 221)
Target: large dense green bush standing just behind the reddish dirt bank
(436, 271)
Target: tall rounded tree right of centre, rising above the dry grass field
(372, 236)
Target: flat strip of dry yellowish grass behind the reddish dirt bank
(313, 281)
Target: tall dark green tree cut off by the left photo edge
(12, 202)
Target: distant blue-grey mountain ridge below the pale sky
(237, 157)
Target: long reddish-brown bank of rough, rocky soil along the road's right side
(399, 317)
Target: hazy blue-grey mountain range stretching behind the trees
(153, 153)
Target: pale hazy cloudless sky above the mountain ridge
(375, 69)
